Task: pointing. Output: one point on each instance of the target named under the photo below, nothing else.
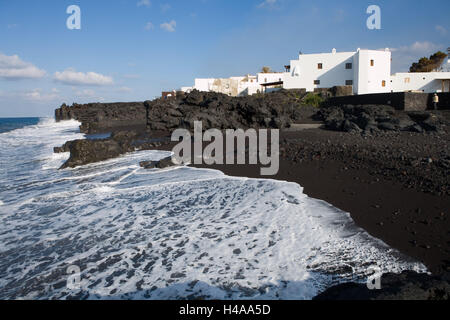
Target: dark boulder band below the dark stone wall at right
(373, 118)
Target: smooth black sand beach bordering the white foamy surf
(409, 220)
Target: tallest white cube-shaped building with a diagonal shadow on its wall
(368, 71)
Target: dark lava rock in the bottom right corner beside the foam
(408, 285)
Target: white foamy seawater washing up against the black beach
(113, 230)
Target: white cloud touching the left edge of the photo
(13, 68)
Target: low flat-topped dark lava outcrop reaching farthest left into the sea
(103, 117)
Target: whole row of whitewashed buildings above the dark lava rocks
(367, 71)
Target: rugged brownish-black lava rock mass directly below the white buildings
(273, 110)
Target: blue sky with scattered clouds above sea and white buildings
(131, 50)
